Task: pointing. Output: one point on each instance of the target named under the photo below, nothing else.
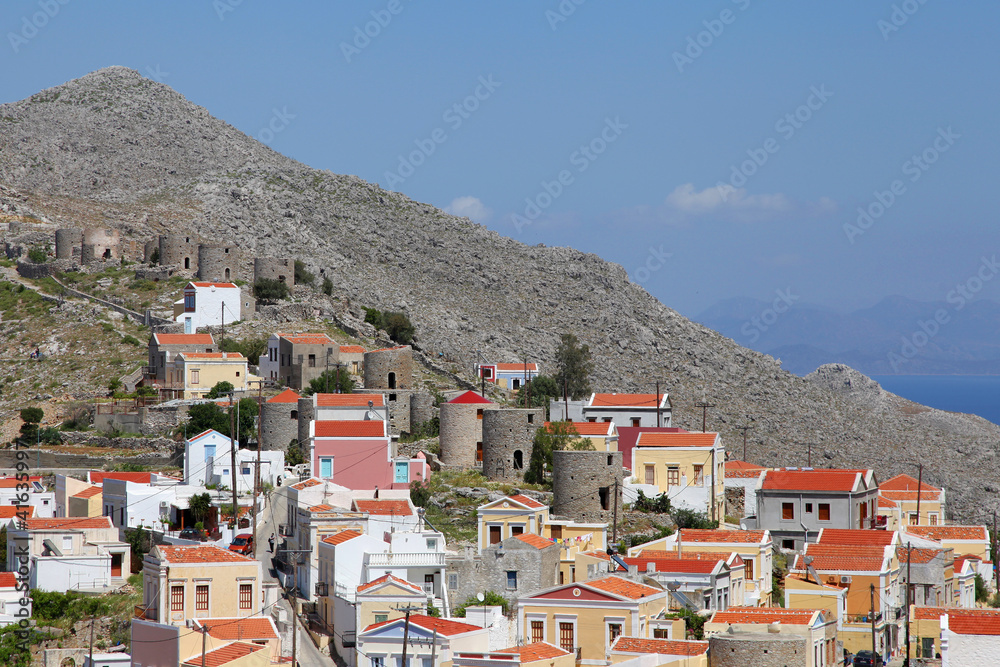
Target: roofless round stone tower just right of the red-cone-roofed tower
(508, 436)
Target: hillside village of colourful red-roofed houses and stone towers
(267, 469)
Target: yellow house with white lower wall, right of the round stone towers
(688, 467)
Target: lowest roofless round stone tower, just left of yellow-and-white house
(584, 485)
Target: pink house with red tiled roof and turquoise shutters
(359, 454)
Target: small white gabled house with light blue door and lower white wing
(208, 459)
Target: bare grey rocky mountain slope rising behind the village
(115, 149)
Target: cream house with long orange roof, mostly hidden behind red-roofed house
(754, 547)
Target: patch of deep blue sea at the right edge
(975, 394)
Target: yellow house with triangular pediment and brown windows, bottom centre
(586, 617)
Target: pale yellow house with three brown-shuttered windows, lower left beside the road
(182, 582)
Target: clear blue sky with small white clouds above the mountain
(714, 149)
